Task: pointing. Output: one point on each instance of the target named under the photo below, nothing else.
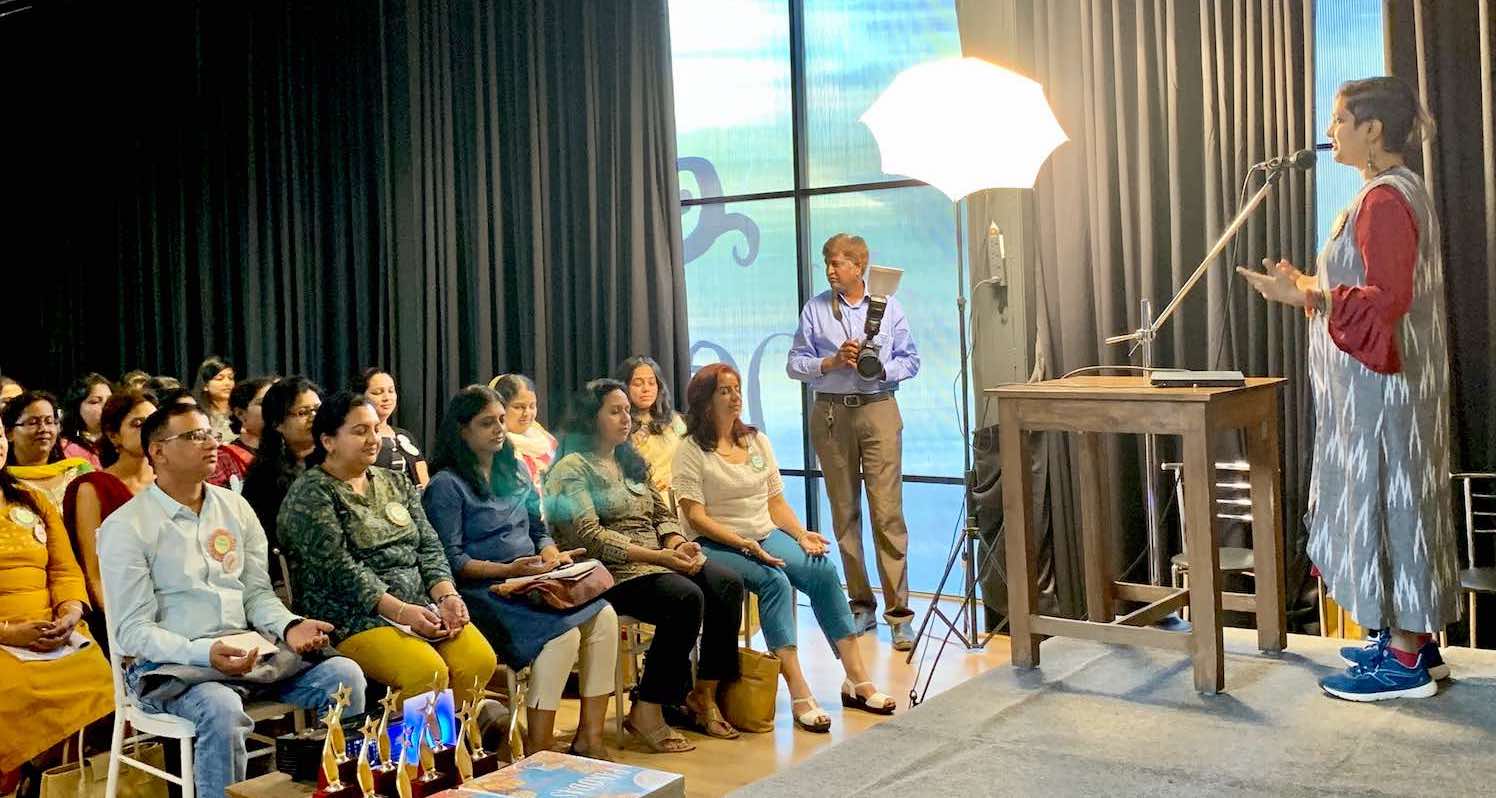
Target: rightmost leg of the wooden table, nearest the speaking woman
(1268, 532)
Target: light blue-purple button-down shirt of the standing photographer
(822, 335)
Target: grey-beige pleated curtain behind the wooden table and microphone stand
(1168, 106)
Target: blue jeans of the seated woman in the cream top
(776, 588)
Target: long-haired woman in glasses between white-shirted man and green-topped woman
(286, 441)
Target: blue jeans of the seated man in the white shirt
(219, 752)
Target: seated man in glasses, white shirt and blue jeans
(185, 565)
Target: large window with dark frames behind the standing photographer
(773, 162)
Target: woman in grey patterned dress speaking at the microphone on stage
(1380, 522)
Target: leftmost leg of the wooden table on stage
(1018, 489)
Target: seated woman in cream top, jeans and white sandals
(732, 501)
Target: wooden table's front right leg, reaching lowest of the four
(1205, 559)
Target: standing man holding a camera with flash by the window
(856, 427)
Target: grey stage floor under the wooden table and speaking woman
(1103, 721)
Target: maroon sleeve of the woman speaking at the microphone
(1365, 320)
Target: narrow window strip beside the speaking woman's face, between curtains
(1349, 46)
